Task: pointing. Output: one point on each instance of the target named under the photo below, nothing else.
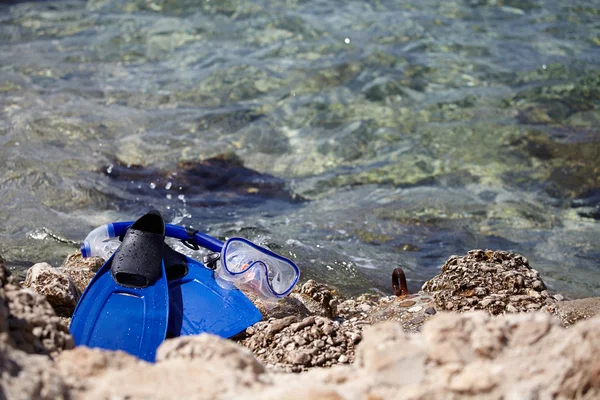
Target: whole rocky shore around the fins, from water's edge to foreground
(486, 326)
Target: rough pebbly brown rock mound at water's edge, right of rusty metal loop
(495, 281)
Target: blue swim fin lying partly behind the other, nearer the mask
(199, 305)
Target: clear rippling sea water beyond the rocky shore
(412, 130)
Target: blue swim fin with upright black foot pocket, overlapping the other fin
(126, 305)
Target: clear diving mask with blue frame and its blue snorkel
(237, 261)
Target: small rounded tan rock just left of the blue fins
(56, 286)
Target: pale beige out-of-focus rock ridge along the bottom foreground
(469, 355)
